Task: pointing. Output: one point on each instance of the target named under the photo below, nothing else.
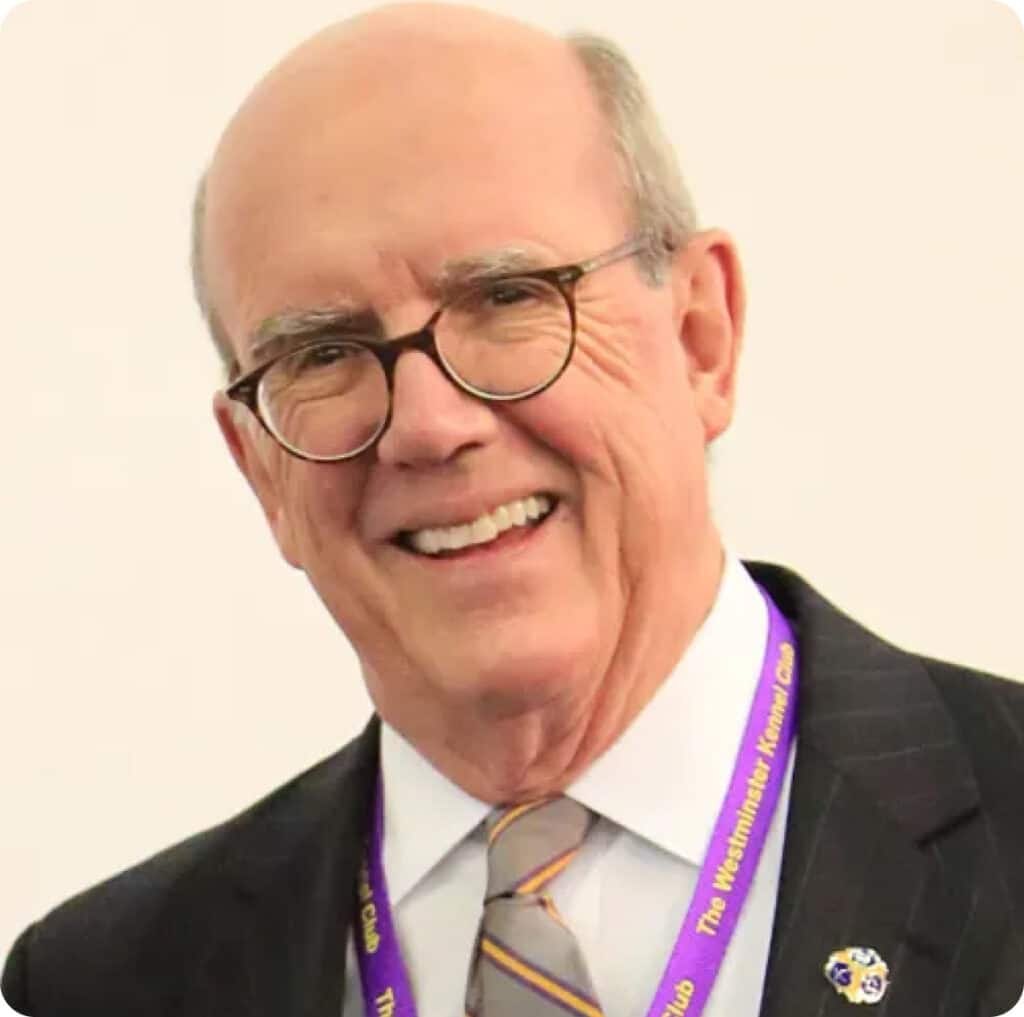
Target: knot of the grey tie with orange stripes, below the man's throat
(529, 845)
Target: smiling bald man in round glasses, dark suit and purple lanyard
(505, 508)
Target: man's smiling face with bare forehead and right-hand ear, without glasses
(356, 178)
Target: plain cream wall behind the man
(162, 668)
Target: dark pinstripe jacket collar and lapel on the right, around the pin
(885, 846)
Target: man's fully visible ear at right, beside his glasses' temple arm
(712, 303)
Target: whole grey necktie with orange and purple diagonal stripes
(528, 962)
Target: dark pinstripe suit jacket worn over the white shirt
(906, 833)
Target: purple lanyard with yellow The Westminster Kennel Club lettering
(722, 886)
